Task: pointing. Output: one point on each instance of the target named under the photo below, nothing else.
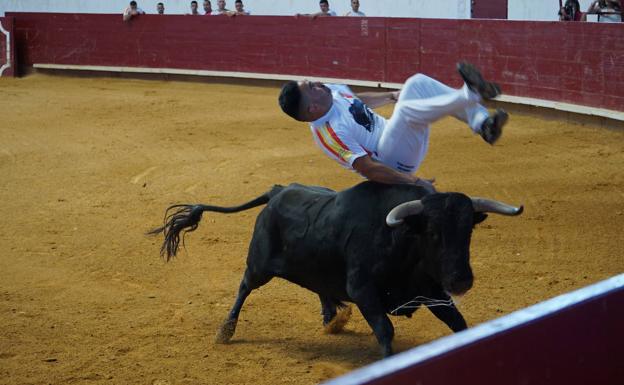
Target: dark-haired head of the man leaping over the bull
(305, 101)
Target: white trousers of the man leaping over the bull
(423, 100)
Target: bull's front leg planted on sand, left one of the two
(365, 296)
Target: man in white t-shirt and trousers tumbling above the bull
(390, 150)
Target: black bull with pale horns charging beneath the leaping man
(376, 245)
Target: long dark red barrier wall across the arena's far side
(579, 63)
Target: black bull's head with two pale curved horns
(444, 225)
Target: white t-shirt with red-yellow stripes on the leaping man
(349, 130)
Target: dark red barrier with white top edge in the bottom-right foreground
(574, 339)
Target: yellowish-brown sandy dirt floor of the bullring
(88, 165)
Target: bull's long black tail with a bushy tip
(185, 218)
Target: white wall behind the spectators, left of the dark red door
(451, 9)
